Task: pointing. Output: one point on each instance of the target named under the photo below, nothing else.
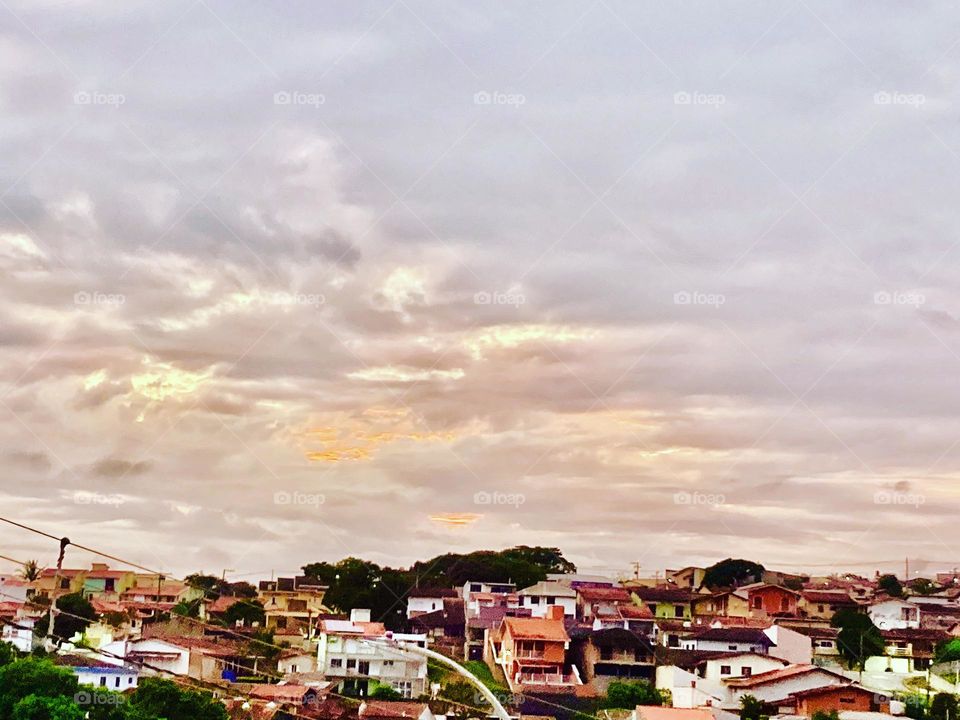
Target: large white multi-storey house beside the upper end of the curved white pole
(357, 655)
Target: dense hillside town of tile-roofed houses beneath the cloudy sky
(696, 643)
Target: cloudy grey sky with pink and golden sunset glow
(650, 282)
